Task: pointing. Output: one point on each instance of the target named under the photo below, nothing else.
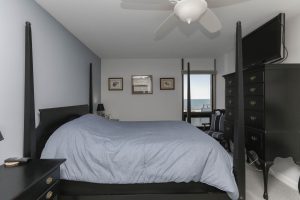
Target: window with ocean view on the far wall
(201, 97)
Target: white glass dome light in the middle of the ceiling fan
(190, 10)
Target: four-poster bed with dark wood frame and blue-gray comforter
(198, 178)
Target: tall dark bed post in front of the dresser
(239, 131)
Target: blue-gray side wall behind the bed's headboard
(61, 68)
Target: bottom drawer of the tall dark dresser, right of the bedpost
(255, 141)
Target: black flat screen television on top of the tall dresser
(265, 44)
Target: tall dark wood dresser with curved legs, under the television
(272, 109)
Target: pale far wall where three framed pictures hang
(161, 105)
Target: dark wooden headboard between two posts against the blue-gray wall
(51, 119)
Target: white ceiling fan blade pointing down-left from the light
(166, 26)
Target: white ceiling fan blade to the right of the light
(210, 21)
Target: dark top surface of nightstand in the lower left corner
(15, 180)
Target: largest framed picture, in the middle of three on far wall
(142, 84)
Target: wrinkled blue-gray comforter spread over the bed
(104, 151)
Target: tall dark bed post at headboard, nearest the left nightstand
(29, 110)
